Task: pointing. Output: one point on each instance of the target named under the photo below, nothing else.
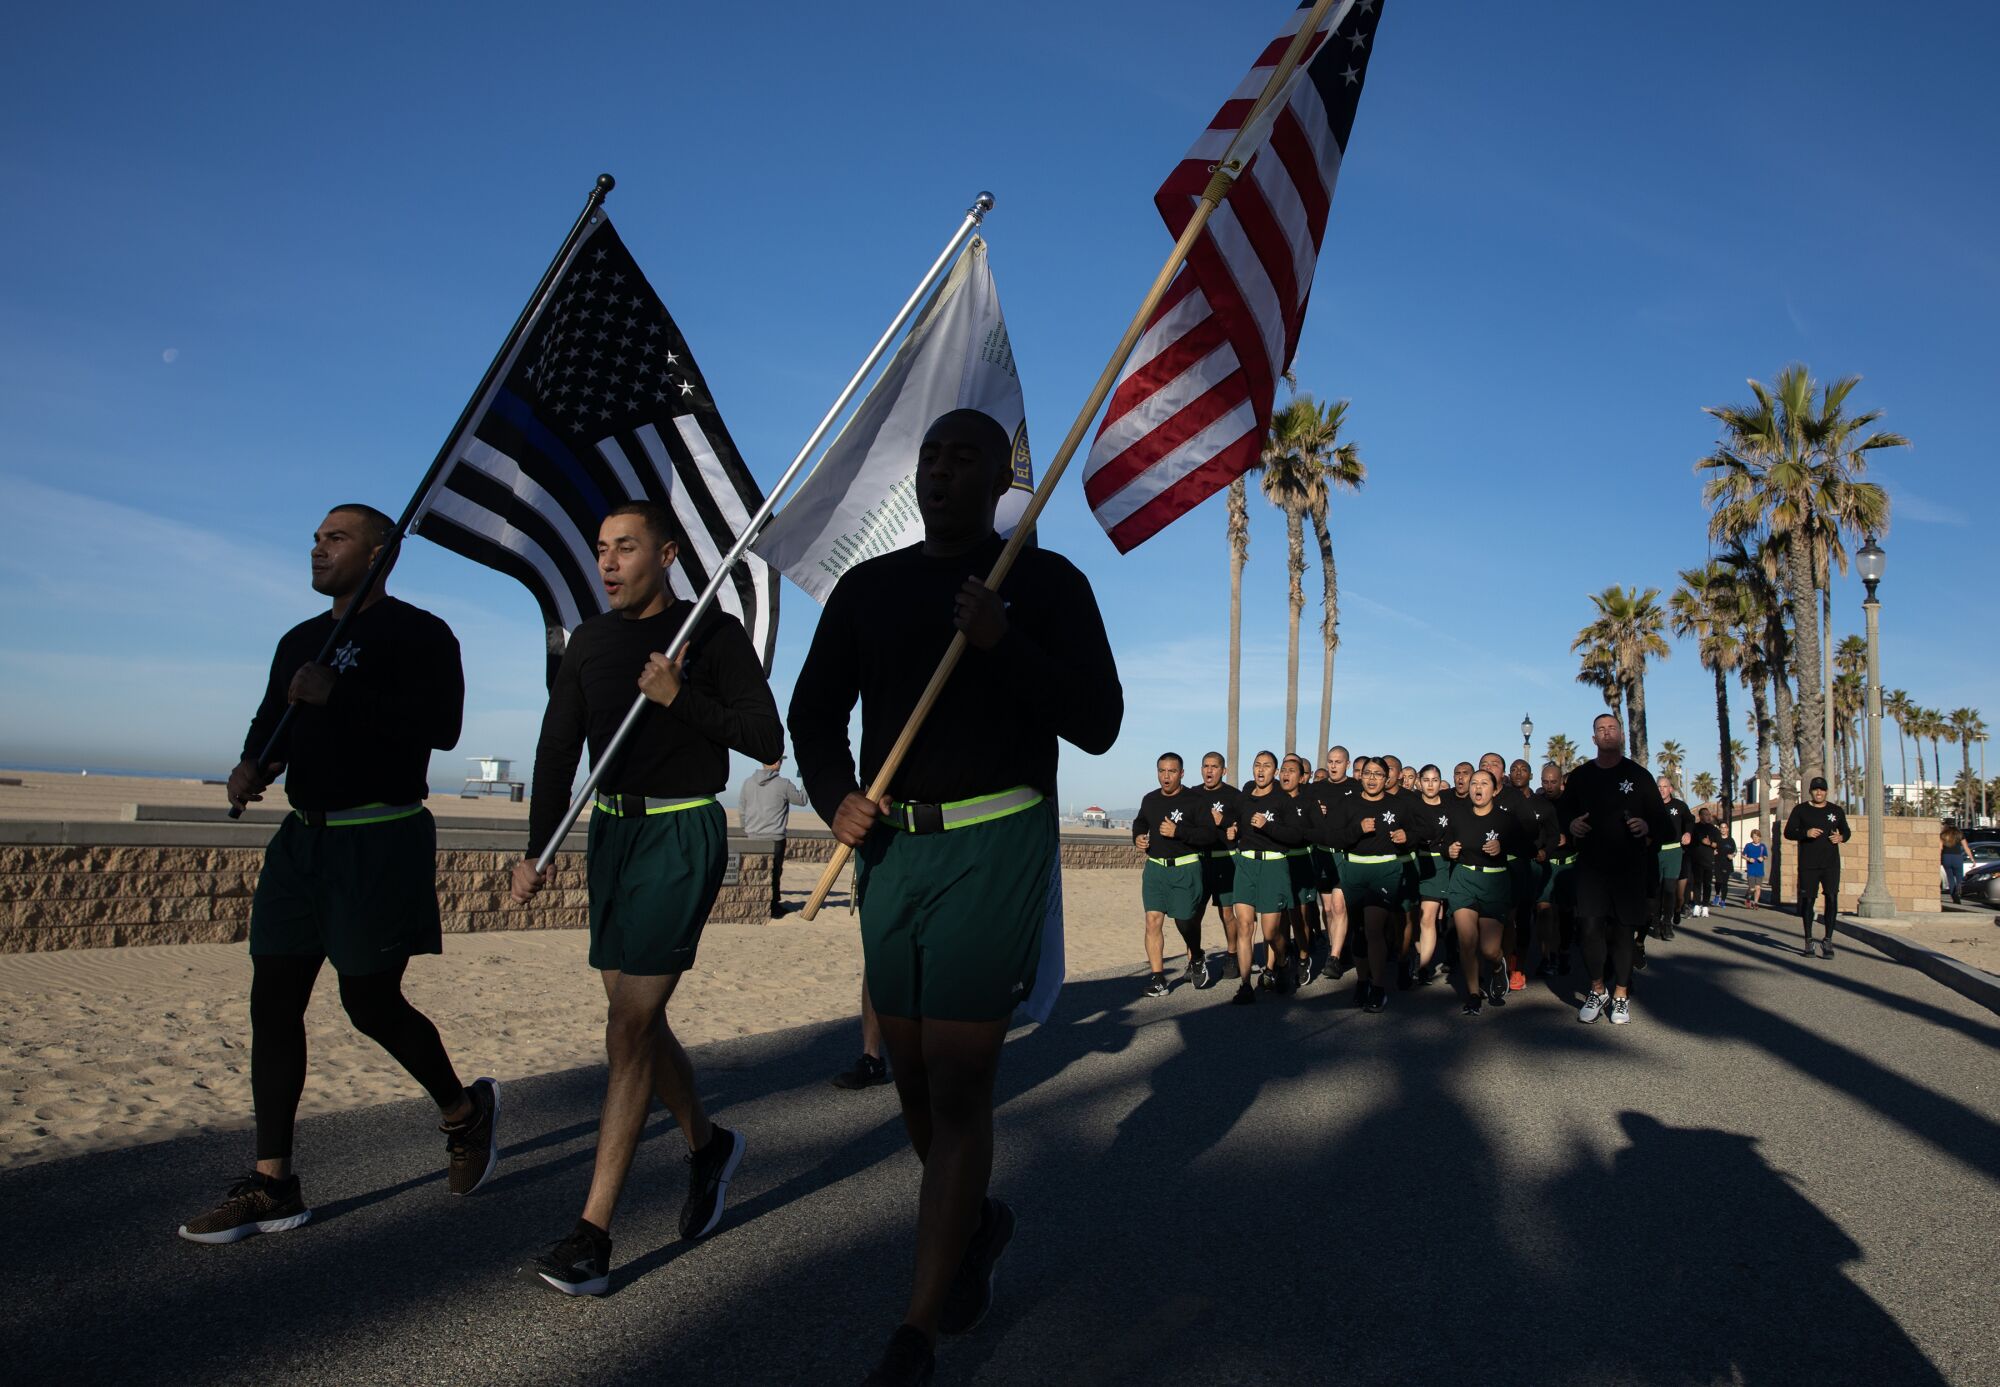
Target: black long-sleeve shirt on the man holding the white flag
(681, 750)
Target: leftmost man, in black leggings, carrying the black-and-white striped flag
(351, 874)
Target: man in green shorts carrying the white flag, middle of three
(659, 844)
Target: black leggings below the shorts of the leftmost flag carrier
(281, 988)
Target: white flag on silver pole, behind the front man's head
(861, 501)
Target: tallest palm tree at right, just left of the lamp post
(1789, 469)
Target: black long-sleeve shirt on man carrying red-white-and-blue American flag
(997, 722)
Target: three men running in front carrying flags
(955, 866)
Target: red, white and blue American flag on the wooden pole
(1195, 401)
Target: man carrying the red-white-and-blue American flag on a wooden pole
(955, 866)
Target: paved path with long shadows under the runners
(1785, 1172)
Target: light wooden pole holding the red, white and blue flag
(1219, 187)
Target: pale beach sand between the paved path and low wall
(109, 1048)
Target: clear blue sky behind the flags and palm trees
(259, 257)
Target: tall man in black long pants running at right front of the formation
(1615, 818)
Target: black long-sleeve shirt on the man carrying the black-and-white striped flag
(399, 694)
